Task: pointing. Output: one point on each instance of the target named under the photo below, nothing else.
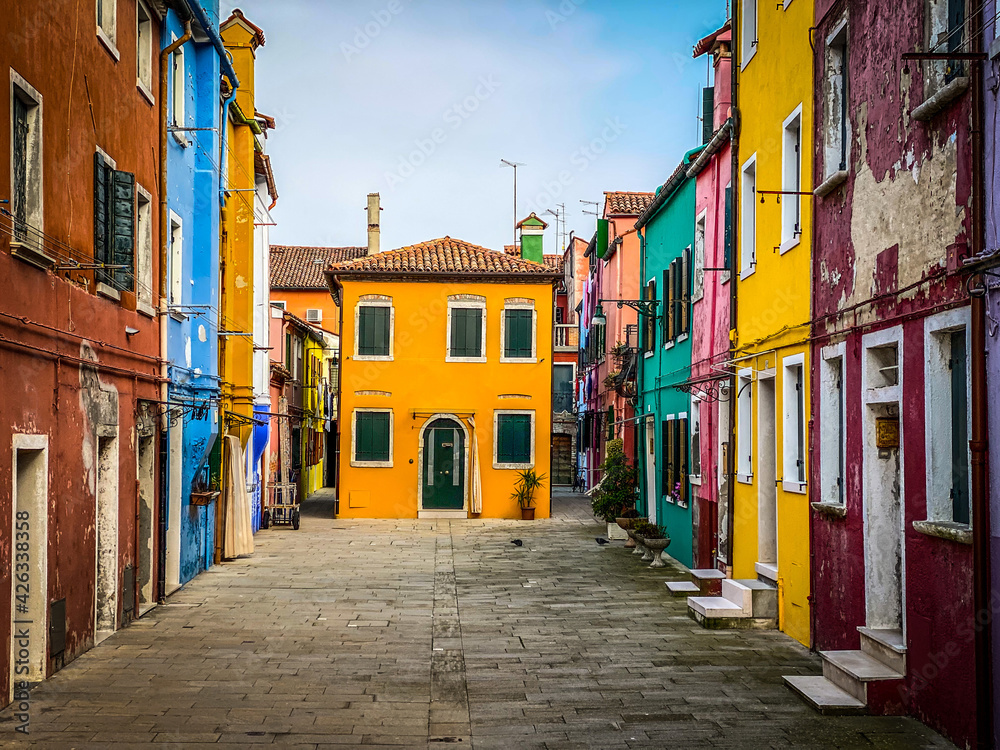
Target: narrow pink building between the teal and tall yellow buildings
(709, 384)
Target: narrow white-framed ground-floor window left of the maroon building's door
(833, 437)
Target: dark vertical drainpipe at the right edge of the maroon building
(978, 443)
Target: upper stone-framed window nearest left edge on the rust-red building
(26, 165)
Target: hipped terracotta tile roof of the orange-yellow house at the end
(444, 255)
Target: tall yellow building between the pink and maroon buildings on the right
(771, 359)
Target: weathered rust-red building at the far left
(78, 417)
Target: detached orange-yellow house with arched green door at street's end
(446, 374)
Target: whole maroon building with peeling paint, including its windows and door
(892, 569)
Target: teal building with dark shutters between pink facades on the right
(666, 231)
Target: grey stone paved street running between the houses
(438, 633)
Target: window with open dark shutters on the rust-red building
(114, 224)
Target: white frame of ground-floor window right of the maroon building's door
(937, 409)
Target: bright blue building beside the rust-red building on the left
(193, 153)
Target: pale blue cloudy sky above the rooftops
(419, 100)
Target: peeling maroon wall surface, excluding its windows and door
(883, 243)
